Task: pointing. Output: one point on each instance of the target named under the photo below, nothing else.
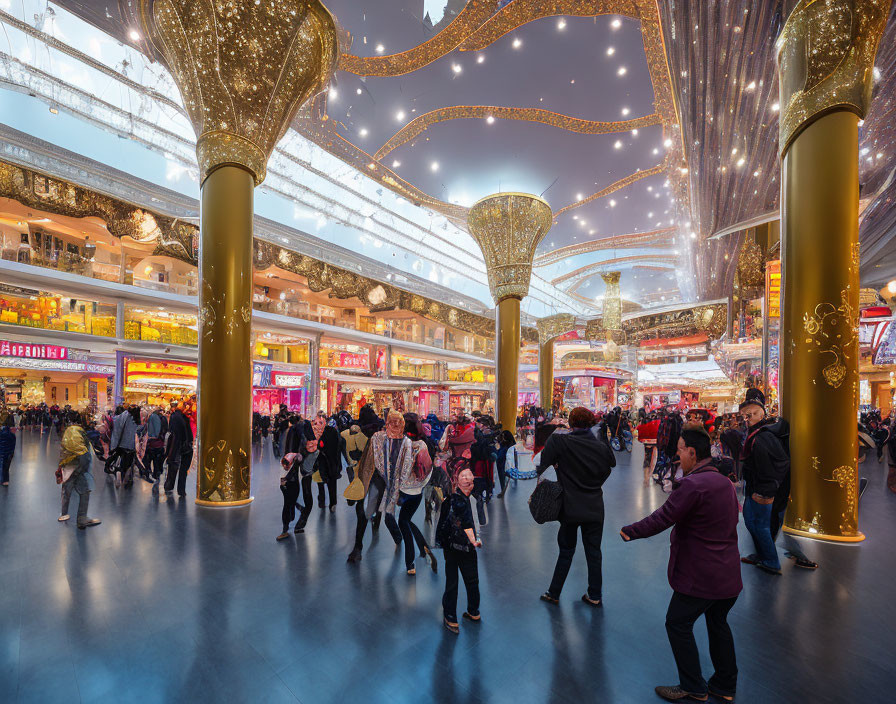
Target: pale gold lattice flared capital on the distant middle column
(508, 227)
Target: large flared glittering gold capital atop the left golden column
(243, 67)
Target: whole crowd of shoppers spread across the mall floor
(399, 462)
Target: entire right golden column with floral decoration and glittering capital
(825, 61)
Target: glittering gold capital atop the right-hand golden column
(826, 56)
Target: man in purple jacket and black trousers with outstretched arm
(704, 569)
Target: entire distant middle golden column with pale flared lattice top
(508, 227)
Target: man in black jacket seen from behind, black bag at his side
(583, 464)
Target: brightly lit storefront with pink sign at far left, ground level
(31, 374)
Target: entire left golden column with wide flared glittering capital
(243, 68)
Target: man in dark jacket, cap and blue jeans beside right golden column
(766, 472)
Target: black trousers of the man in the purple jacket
(683, 611)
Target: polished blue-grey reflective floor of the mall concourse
(167, 602)
